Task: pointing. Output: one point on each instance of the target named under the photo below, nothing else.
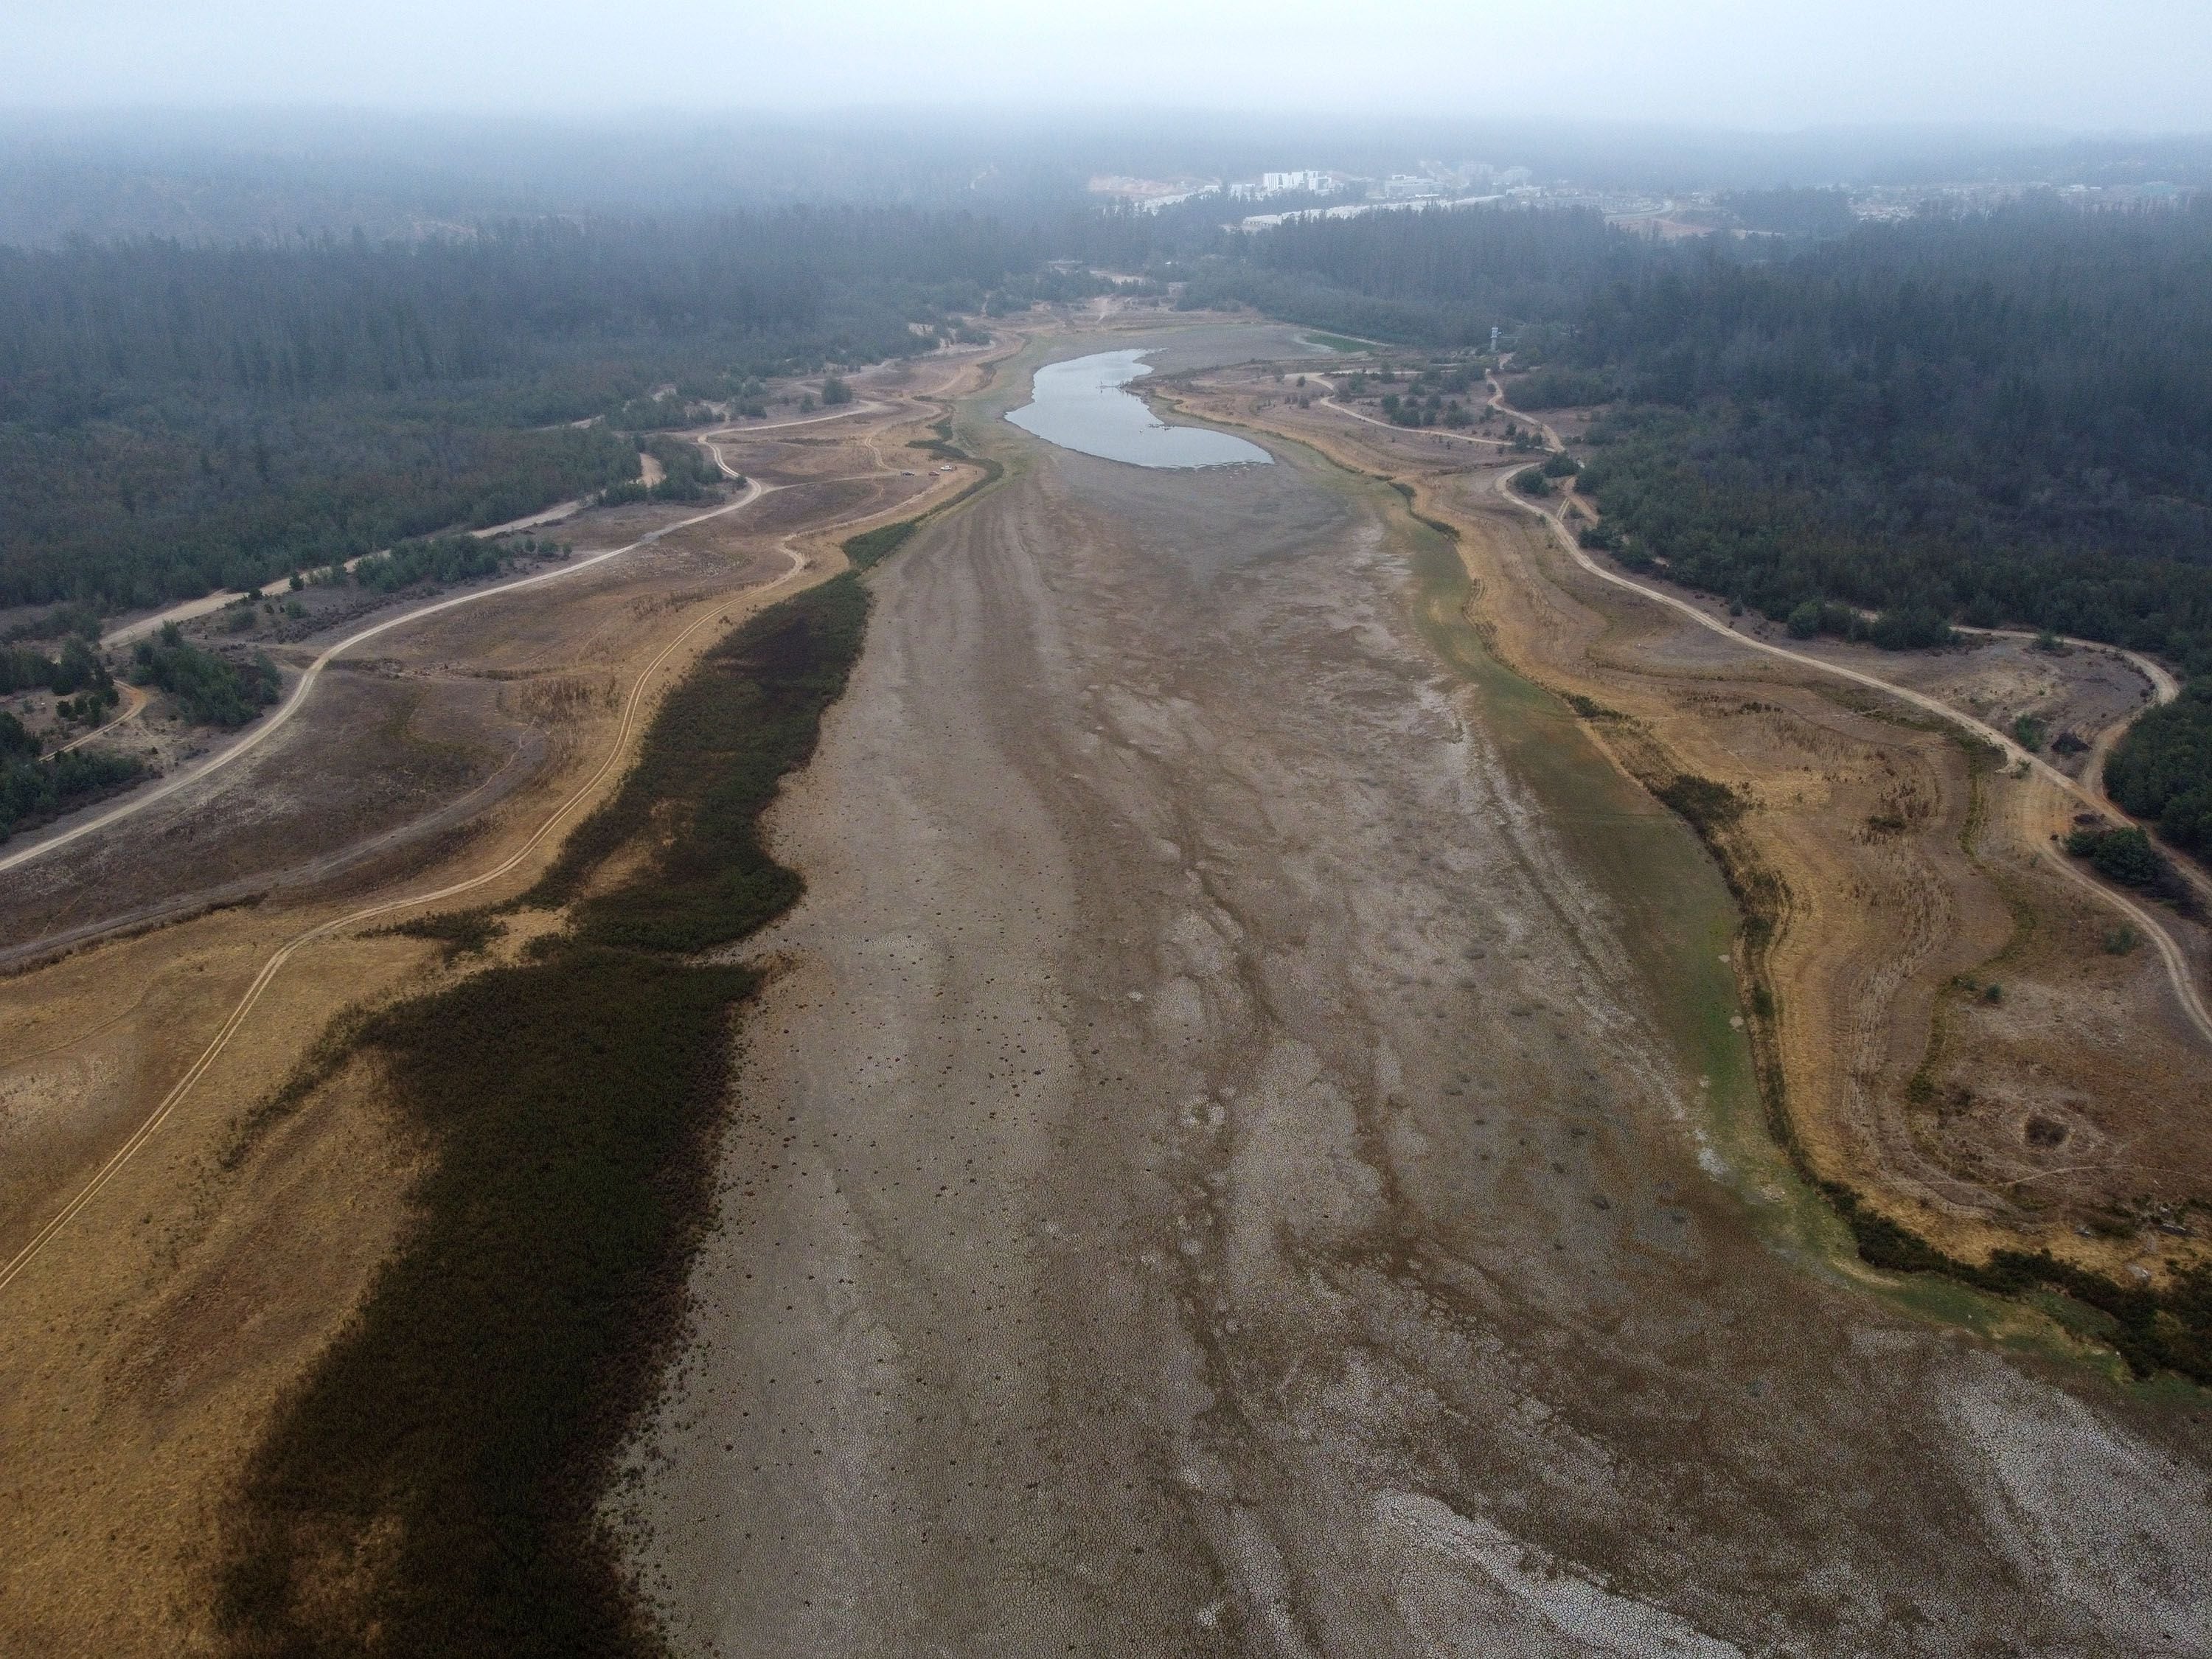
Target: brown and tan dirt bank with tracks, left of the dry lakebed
(152, 1335)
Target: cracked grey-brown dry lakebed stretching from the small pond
(1220, 1173)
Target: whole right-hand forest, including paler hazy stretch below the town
(1990, 419)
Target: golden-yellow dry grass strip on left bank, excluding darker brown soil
(152, 1339)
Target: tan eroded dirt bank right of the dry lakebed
(1954, 1025)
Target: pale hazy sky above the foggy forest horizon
(2142, 65)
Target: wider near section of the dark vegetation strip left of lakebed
(481, 1397)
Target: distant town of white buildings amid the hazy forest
(1328, 194)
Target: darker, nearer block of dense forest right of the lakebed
(2001, 419)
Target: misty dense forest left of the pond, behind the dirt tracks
(178, 419)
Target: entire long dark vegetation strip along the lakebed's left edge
(430, 1488)
